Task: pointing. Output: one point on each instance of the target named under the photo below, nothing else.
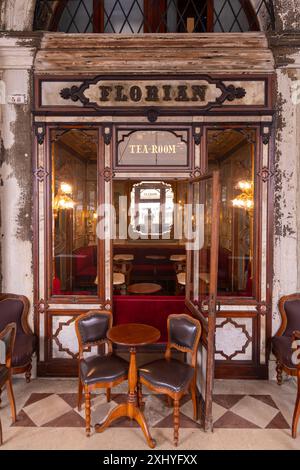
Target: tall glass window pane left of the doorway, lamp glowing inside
(74, 206)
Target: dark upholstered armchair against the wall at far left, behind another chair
(15, 308)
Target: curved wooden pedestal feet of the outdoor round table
(131, 411)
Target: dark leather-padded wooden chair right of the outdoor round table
(170, 376)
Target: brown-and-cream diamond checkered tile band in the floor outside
(229, 411)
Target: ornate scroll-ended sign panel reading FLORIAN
(202, 93)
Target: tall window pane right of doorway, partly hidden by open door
(232, 151)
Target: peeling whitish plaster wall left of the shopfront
(16, 189)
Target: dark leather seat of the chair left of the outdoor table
(96, 369)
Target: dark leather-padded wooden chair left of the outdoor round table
(97, 371)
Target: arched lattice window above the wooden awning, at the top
(153, 16)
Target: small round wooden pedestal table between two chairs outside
(131, 335)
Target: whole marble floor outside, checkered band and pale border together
(247, 415)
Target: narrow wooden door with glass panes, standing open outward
(202, 275)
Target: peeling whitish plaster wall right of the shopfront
(287, 204)
